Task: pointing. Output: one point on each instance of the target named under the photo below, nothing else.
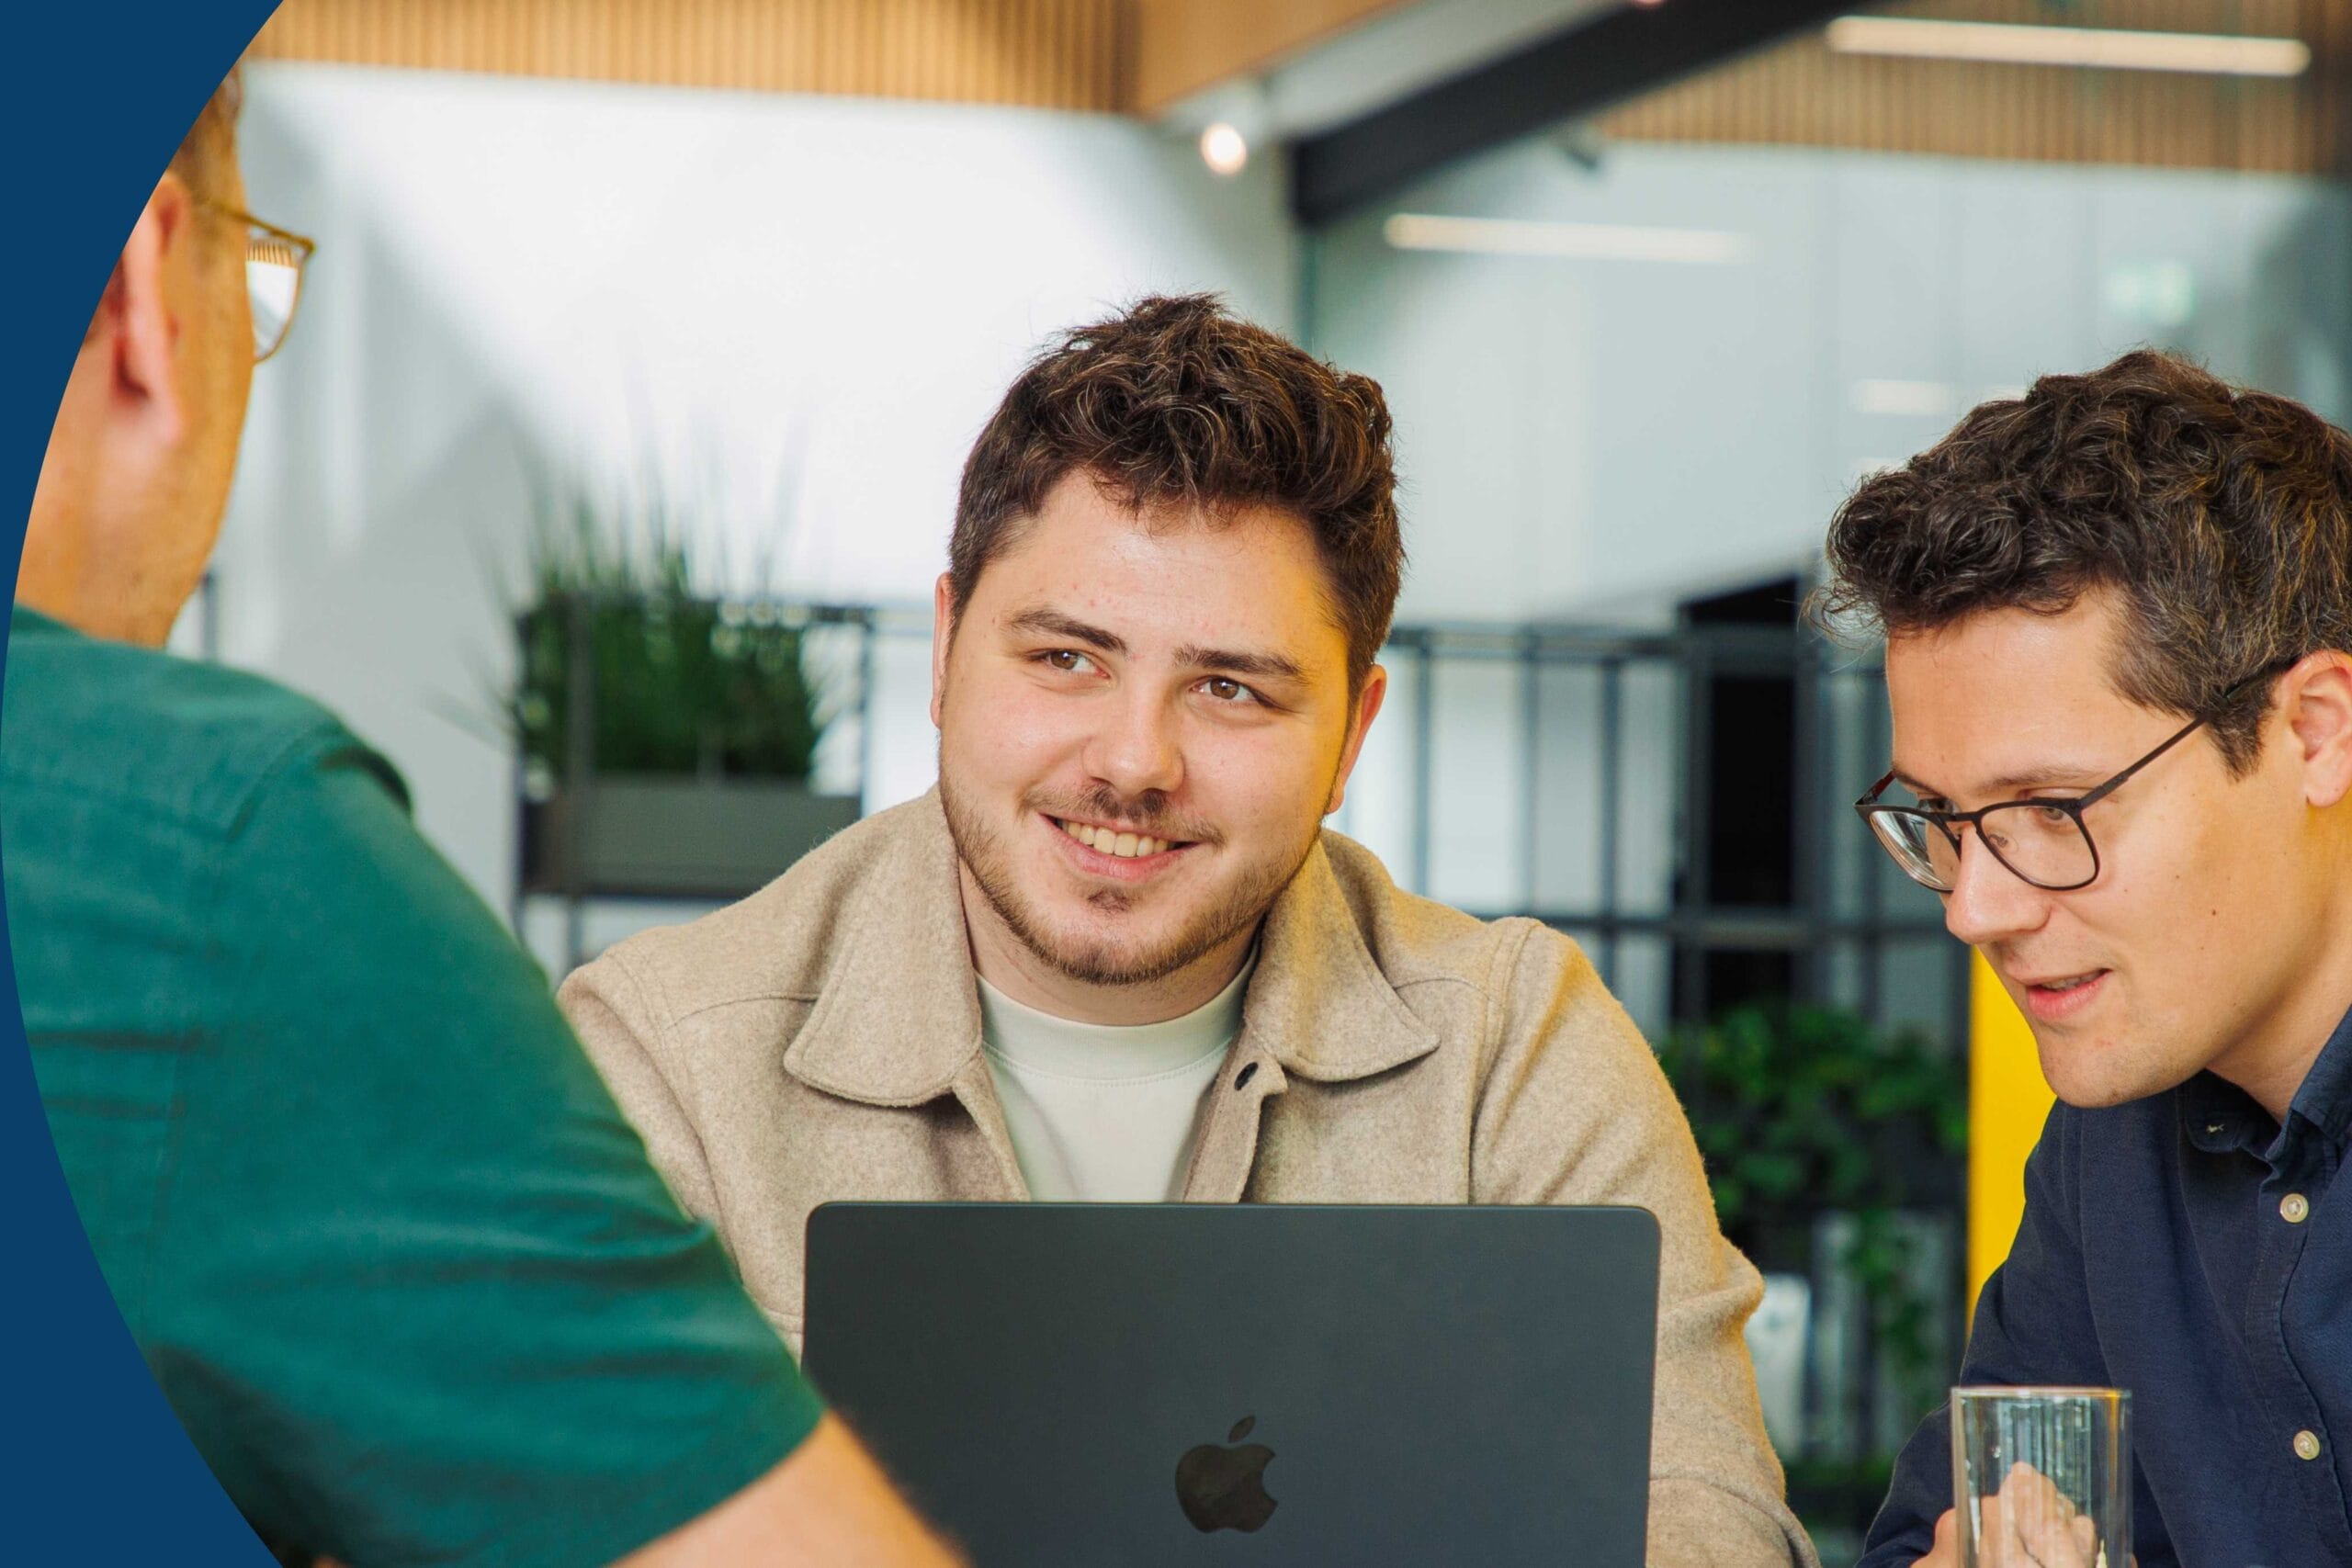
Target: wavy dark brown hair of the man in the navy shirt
(2219, 516)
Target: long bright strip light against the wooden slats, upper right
(2102, 48)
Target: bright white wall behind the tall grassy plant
(796, 309)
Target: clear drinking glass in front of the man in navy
(2043, 1477)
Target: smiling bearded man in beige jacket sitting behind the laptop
(1116, 958)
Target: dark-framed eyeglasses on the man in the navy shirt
(2043, 843)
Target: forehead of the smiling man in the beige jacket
(1245, 575)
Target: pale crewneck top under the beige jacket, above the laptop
(1107, 1113)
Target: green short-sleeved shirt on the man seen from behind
(373, 1219)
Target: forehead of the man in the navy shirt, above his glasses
(2005, 695)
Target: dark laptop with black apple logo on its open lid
(1151, 1386)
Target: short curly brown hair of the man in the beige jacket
(1180, 406)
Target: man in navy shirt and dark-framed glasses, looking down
(2120, 659)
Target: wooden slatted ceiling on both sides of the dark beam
(1142, 55)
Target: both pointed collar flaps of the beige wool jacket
(897, 1019)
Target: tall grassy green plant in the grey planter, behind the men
(683, 683)
